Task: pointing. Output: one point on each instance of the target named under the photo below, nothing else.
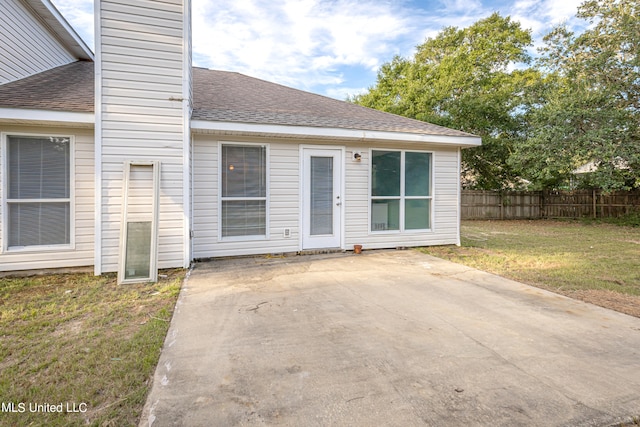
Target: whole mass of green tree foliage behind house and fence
(577, 104)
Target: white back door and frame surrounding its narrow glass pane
(337, 241)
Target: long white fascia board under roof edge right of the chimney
(334, 133)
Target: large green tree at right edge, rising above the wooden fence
(587, 110)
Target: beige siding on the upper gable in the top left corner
(27, 47)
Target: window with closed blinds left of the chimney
(38, 199)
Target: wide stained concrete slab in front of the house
(388, 338)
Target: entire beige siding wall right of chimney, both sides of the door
(284, 199)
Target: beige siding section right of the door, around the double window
(444, 221)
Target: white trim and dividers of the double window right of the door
(402, 196)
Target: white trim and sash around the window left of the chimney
(5, 200)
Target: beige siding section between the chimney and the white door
(282, 208)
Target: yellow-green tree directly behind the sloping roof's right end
(465, 79)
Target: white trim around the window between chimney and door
(266, 198)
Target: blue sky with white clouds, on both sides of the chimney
(330, 47)
